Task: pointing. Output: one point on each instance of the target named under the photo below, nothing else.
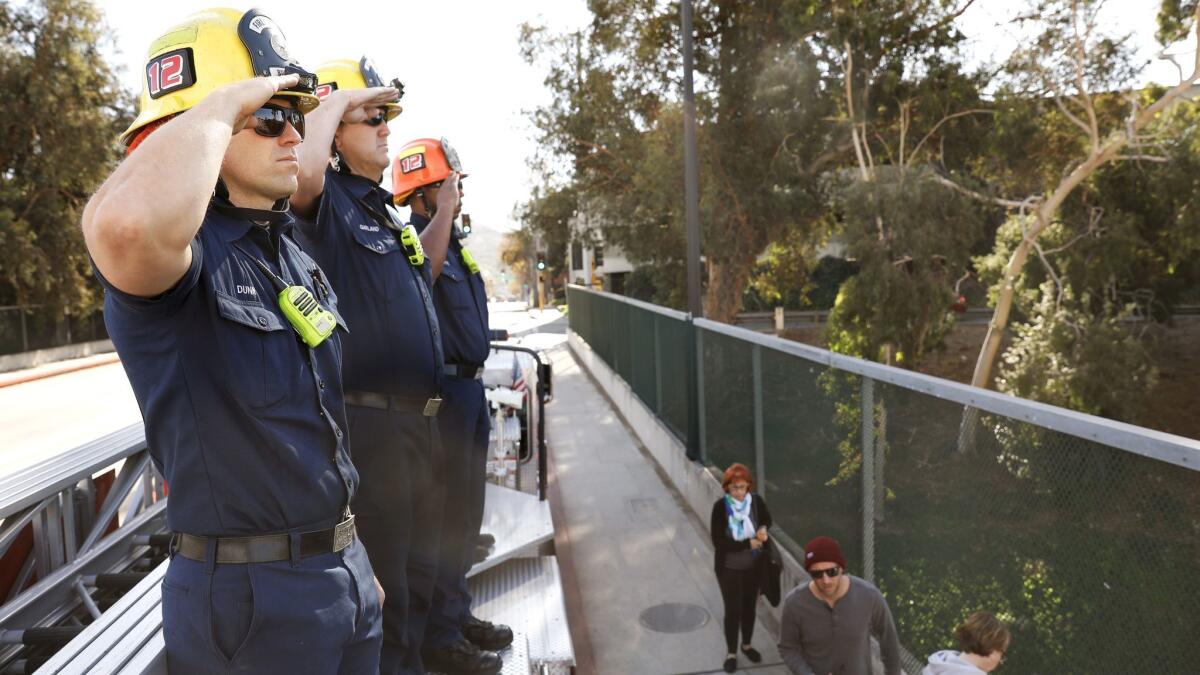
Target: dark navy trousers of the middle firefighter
(399, 517)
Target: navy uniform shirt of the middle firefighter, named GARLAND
(397, 345)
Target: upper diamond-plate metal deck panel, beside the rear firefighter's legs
(519, 522)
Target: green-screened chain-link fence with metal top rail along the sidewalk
(1082, 533)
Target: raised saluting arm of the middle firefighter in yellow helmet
(345, 105)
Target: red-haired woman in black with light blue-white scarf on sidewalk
(740, 527)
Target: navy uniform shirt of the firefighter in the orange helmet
(461, 302)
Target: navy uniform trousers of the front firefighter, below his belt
(319, 614)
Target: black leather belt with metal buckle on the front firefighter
(267, 548)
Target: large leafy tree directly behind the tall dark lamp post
(616, 123)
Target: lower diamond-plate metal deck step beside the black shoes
(527, 595)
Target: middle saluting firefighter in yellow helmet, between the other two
(394, 360)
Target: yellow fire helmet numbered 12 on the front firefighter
(209, 50)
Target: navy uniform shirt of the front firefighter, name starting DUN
(243, 420)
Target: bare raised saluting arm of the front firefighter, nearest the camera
(141, 223)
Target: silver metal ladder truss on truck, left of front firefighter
(74, 525)
